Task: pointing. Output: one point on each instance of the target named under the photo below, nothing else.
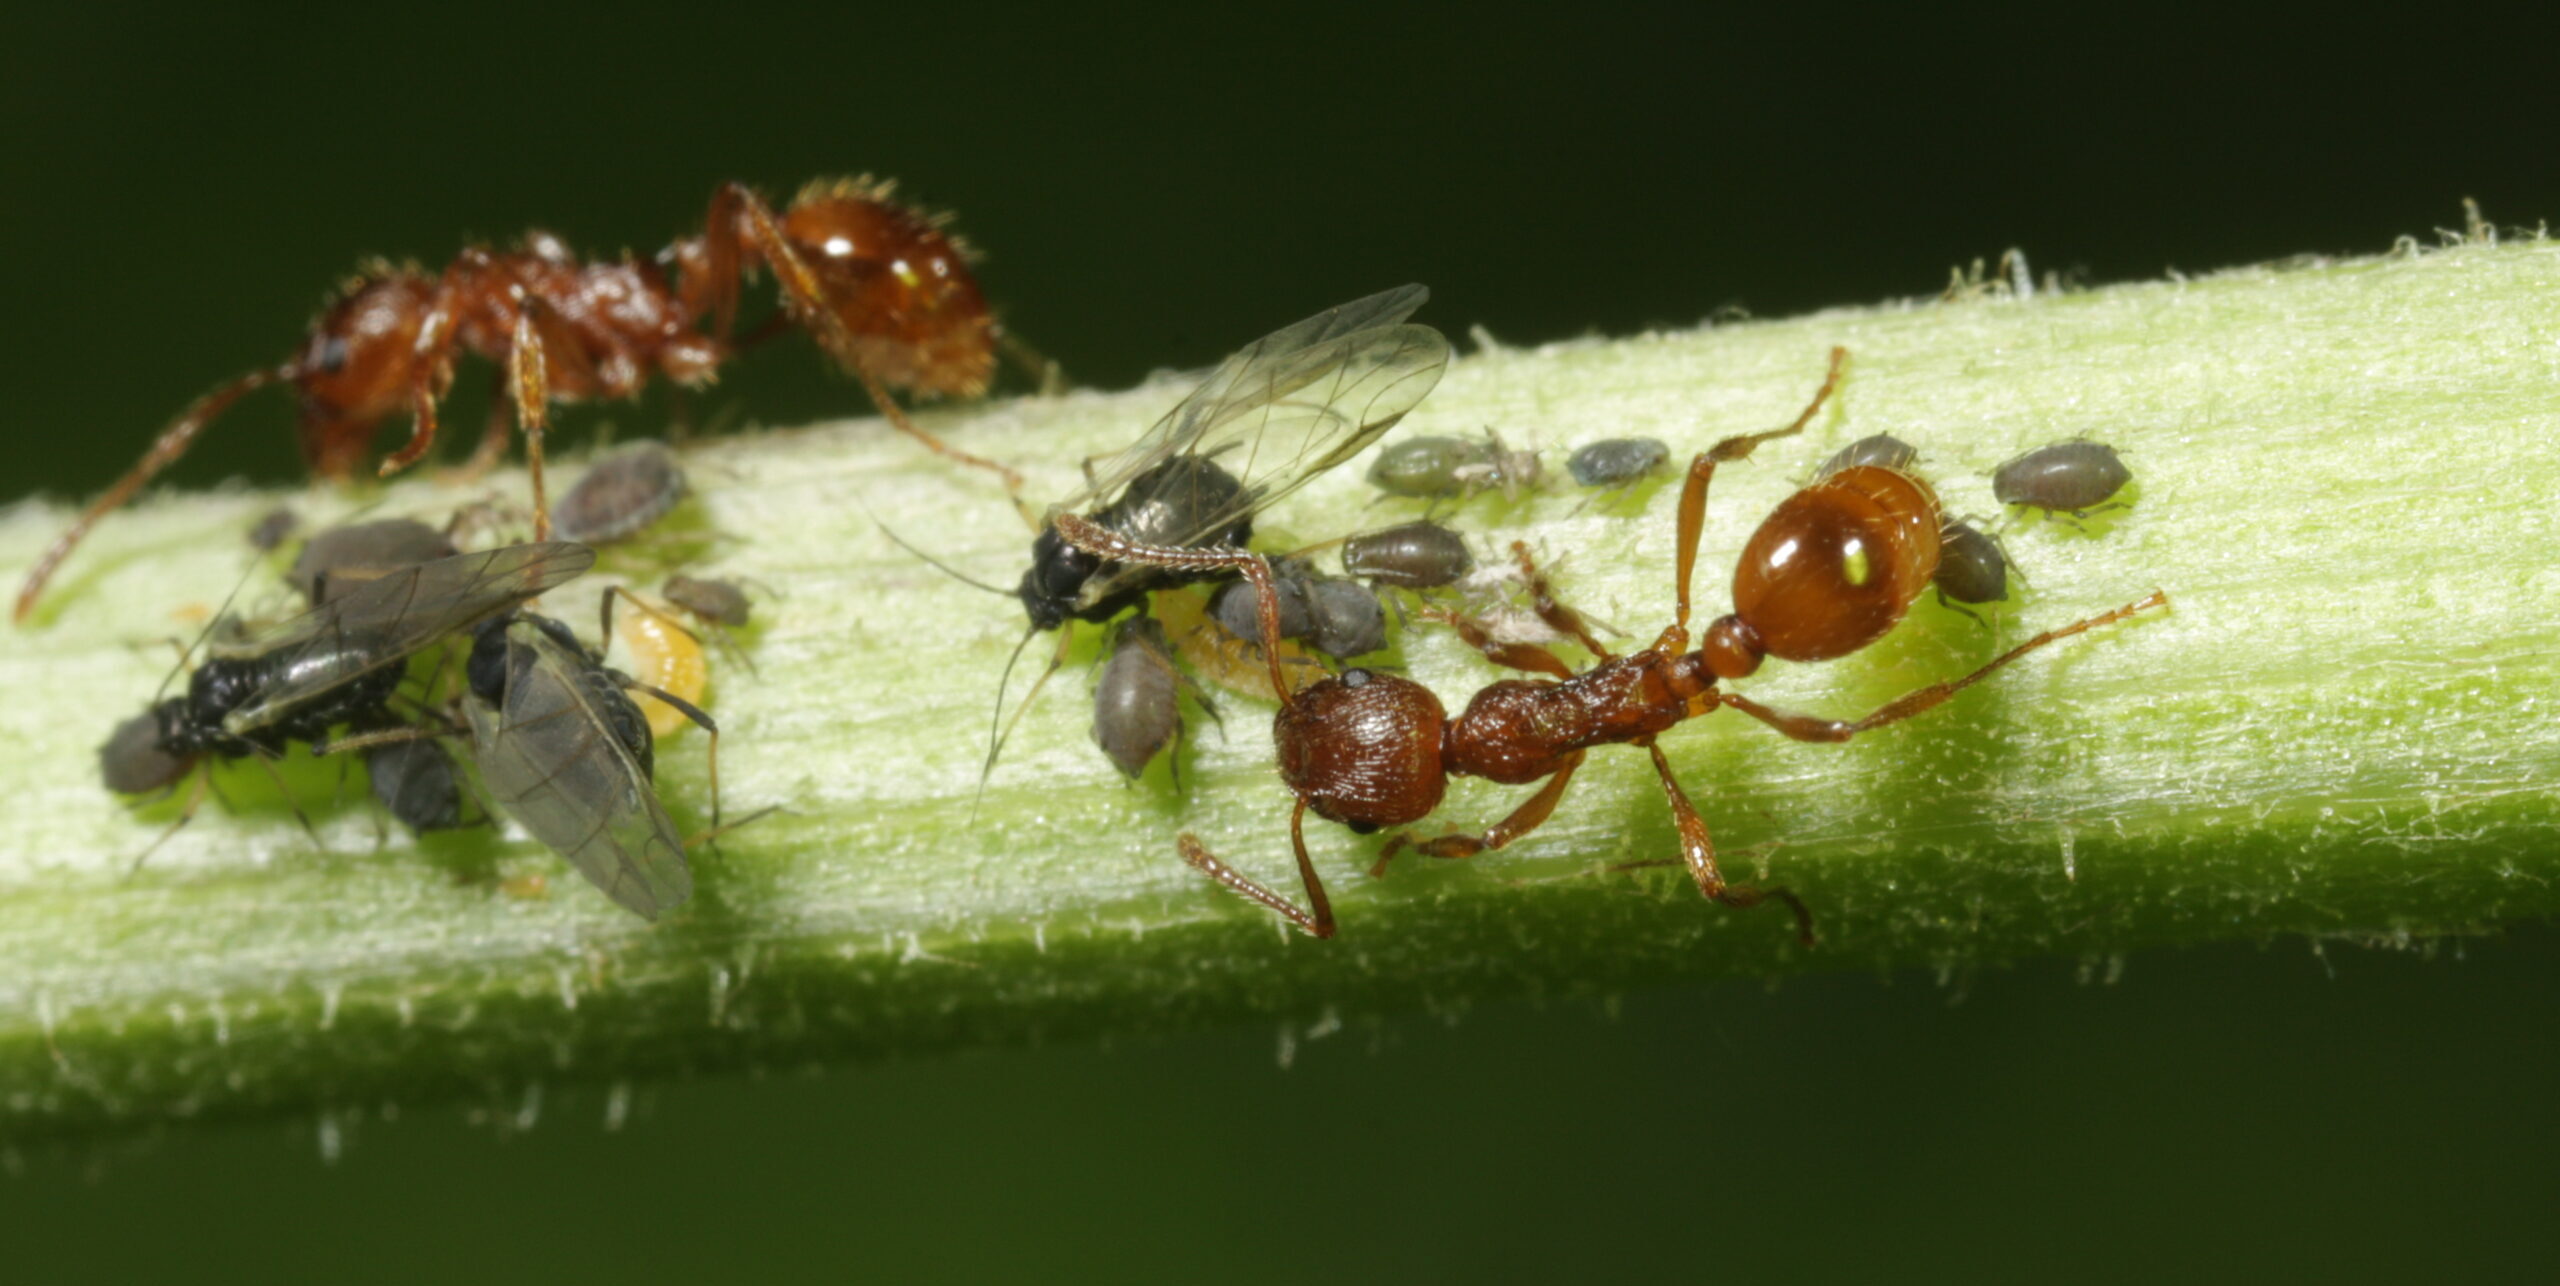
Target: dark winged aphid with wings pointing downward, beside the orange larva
(570, 757)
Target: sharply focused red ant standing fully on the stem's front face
(1827, 575)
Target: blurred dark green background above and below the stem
(1156, 188)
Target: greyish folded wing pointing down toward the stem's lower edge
(557, 767)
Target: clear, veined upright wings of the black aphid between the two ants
(1286, 409)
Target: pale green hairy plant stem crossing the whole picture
(2344, 726)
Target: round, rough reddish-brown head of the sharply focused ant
(1363, 749)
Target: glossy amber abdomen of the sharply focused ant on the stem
(1834, 567)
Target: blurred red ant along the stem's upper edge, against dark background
(884, 288)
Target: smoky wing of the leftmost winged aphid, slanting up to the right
(390, 619)
